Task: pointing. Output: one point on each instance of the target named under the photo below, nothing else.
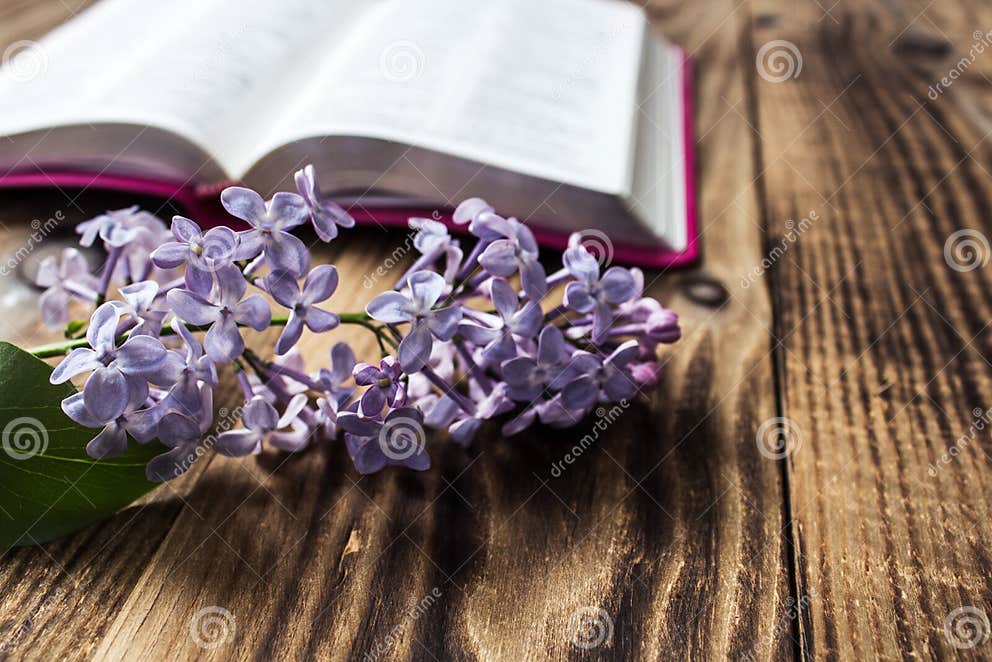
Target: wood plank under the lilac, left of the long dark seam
(671, 522)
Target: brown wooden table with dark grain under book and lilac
(830, 201)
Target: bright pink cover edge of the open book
(202, 203)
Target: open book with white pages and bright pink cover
(569, 114)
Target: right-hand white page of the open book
(545, 89)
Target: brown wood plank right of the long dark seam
(882, 346)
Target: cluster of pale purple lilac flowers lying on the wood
(461, 342)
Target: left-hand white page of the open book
(193, 67)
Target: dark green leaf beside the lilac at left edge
(49, 487)
